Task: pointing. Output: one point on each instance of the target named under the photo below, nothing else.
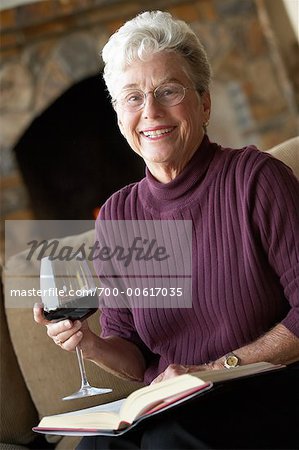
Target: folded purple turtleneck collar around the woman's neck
(184, 182)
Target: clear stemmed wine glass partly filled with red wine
(69, 292)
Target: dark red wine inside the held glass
(74, 309)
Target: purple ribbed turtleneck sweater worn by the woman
(244, 208)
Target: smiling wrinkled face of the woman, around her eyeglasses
(163, 135)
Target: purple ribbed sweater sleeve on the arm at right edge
(276, 217)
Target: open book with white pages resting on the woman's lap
(118, 416)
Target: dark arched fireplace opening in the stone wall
(73, 156)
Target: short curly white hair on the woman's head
(152, 32)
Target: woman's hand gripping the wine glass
(65, 333)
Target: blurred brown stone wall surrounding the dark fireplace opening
(48, 46)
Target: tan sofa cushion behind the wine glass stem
(50, 372)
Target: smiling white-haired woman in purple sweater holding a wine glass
(243, 205)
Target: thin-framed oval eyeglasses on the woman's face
(168, 94)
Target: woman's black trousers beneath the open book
(260, 412)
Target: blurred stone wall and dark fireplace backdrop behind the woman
(61, 152)
